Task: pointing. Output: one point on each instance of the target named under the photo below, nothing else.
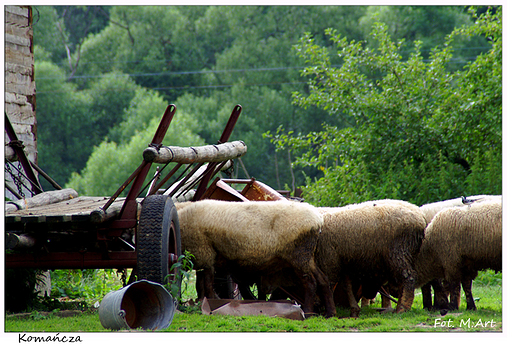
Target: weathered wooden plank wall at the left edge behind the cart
(20, 90)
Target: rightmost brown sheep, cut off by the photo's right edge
(459, 242)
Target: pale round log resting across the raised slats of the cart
(207, 153)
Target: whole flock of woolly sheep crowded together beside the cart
(337, 256)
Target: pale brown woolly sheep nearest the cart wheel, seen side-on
(260, 237)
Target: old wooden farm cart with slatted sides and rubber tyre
(58, 229)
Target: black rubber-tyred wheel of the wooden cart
(158, 241)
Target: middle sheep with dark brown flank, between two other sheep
(370, 244)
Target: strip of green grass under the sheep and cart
(488, 317)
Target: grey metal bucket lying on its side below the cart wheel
(142, 304)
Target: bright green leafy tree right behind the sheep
(411, 128)
